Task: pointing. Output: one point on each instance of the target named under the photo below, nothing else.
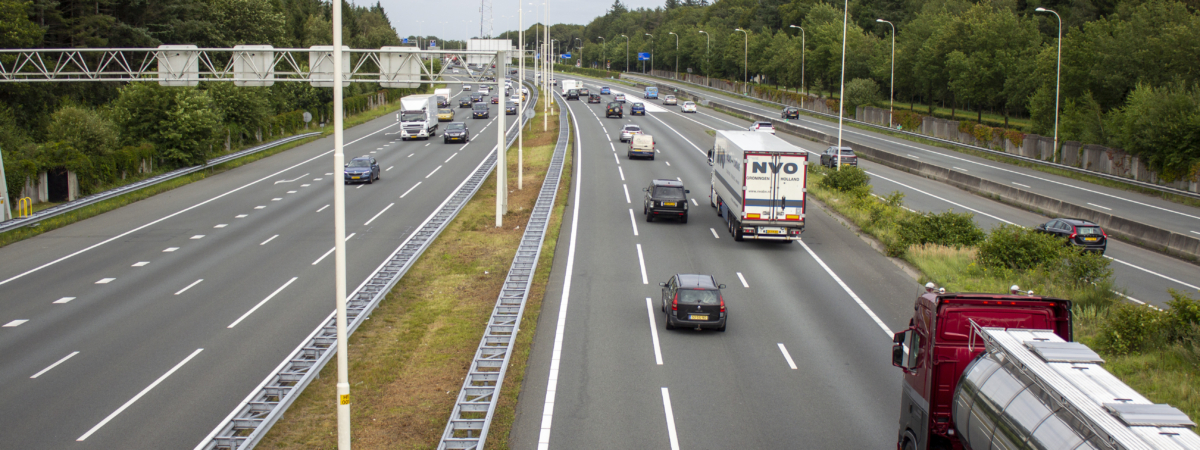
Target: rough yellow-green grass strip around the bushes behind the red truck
(1165, 373)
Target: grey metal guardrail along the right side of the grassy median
(476, 406)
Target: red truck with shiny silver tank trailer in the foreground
(1000, 371)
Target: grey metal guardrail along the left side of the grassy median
(250, 422)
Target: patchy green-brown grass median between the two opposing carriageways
(409, 362)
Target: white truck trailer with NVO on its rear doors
(759, 185)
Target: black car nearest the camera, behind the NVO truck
(692, 301)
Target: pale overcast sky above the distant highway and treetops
(461, 17)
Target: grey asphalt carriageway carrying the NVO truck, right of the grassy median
(806, 362)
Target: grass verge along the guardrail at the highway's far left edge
(63, 220)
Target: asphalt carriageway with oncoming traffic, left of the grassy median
(145, 327)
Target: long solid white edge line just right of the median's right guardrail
(548, 412)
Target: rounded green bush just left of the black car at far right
(1016, 248)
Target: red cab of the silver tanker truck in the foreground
(939, 345)
